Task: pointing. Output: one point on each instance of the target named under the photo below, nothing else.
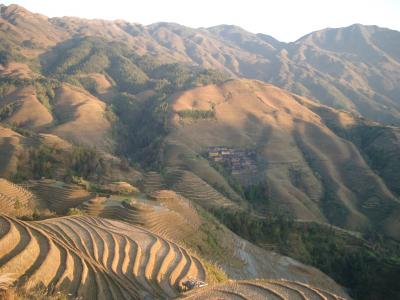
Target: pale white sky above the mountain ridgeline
(286, 20)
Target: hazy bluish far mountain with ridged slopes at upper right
(353, 68)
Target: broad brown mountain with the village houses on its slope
(303, 166)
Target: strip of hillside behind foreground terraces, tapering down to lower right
(173, 217)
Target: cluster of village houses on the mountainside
(240, 161)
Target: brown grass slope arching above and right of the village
(331, 174)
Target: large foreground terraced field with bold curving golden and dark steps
(94, 258)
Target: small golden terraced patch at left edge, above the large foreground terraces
(14, 199)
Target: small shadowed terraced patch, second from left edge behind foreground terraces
(59, 196)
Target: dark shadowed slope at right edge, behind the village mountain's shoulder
(379, 144)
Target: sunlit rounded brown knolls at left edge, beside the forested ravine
(73, 114)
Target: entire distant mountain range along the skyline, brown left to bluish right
(353, 68)
